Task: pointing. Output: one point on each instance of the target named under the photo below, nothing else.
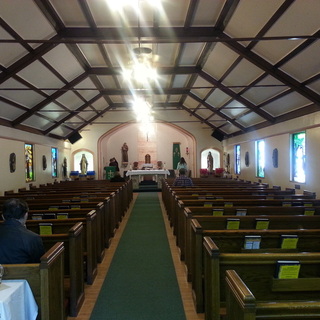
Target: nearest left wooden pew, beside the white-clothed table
(46, 280)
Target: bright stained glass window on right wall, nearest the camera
(298, 157)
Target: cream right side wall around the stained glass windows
(278, 136)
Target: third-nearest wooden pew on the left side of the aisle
(90, 230)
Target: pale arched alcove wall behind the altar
(157, 144)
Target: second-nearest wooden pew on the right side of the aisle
(257, 268)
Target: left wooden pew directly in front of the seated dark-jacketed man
(73, 261)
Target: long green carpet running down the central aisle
(141, 283)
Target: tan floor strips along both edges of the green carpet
(92, 292)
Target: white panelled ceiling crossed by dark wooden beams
(252, 61)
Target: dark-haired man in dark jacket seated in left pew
(17, 243)
